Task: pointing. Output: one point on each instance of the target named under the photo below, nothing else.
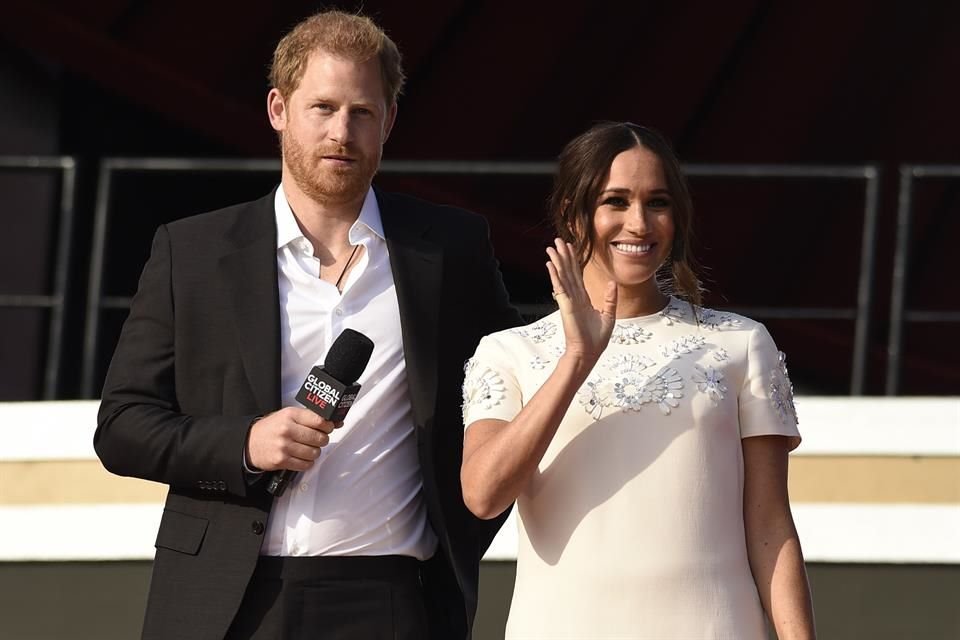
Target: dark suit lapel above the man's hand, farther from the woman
(248, 273)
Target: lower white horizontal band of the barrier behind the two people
(887, 533)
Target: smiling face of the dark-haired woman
(633, 223)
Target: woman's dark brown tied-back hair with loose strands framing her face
(582, 172)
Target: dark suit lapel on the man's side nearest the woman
(417, 266)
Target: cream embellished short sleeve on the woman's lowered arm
(766, 397)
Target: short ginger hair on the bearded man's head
(354, 37)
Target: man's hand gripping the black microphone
(290, 438)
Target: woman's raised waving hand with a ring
(587, 329)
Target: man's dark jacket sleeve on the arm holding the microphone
(141, 430)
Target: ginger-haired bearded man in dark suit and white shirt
(233, 309)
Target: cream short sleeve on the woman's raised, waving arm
(490, 387)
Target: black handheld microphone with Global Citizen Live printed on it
(329, 391)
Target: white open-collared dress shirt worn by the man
(363, 496)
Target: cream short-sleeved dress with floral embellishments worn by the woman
(633, 525)
